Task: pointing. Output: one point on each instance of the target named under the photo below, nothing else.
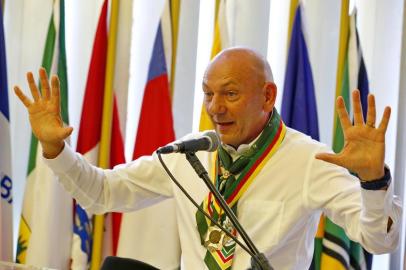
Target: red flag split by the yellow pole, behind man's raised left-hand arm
(90, 134)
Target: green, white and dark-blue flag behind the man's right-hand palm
(338, 251)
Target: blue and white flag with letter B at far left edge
(6, 183)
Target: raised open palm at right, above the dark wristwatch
(364, 144)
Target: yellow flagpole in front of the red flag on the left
(105, 129)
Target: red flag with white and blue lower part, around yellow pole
(89, 139)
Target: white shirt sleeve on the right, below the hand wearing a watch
(363, 214)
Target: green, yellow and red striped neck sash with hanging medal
(220, 248)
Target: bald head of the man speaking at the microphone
(239, 94)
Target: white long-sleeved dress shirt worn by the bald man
(280, 210)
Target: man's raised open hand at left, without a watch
(45, 113)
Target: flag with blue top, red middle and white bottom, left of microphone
(159, 245)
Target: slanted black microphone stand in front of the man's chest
(259, 261)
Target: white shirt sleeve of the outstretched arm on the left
(126, 187)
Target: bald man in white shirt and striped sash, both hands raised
(275, 179)
